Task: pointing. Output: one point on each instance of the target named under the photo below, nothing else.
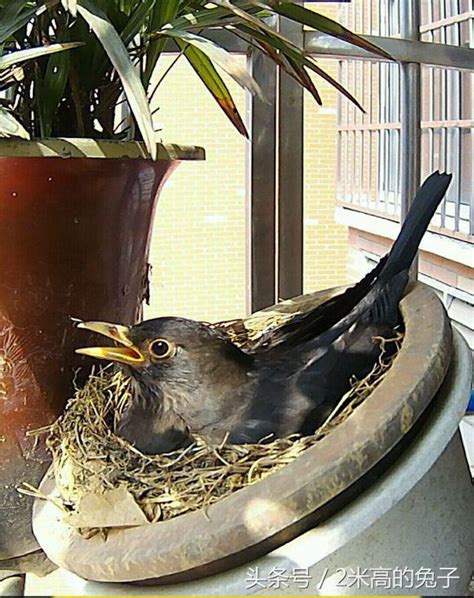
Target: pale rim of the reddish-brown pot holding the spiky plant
(72, 147)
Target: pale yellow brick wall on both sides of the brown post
(198, 250)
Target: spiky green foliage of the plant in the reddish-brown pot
(76, 93)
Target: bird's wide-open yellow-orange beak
(128, 353)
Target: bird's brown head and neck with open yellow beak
(177, 359)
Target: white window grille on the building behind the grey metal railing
(369, 145)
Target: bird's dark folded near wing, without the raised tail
(302, 383)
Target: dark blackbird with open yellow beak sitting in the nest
(189, 378)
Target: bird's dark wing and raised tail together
(314, 354)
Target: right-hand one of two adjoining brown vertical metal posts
(290, 176)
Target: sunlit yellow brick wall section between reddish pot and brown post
(198, 244)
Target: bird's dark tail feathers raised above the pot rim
(424, 206)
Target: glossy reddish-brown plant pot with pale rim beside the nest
(74, 239)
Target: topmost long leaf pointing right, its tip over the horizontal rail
(312, 19)
